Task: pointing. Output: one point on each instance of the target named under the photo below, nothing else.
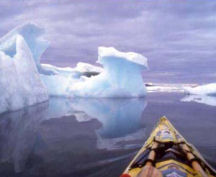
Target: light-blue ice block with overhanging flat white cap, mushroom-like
(121, 76)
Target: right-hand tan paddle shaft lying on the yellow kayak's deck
(195, 164)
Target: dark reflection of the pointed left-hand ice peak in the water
(18, 134)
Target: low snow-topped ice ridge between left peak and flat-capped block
(59, 80)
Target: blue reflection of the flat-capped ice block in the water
(120, 118)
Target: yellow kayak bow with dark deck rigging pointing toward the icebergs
(166, 153)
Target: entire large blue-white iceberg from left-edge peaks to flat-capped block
(25, 81)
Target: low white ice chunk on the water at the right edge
(208, 89)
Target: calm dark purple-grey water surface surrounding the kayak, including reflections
(95, 137)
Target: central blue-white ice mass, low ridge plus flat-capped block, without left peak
(120, 76)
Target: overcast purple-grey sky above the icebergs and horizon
(177, 36)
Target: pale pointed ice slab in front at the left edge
(20, 84)
